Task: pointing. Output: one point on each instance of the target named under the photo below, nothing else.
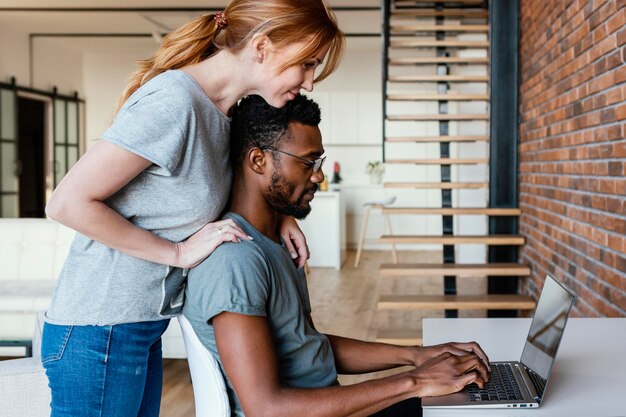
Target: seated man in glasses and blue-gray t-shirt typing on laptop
(249, 304)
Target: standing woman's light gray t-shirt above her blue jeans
(172, 123)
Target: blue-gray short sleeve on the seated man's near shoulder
(220, 285)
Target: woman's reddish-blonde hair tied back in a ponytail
(284, 22)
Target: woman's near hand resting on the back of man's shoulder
(201, 244)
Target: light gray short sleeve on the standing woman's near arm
(152, 125)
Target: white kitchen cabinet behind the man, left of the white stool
(325, 230)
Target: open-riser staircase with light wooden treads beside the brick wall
(436, 77)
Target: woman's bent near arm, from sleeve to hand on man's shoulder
(78, 202)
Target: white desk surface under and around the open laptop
(589, 378)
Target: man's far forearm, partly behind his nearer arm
(355, 356)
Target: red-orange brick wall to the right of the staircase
(572, 149)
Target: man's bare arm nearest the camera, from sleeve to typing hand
(247, 351)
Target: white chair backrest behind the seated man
(209, 389)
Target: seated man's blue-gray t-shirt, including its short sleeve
(259, 278)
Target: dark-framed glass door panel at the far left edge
(9, 158)
